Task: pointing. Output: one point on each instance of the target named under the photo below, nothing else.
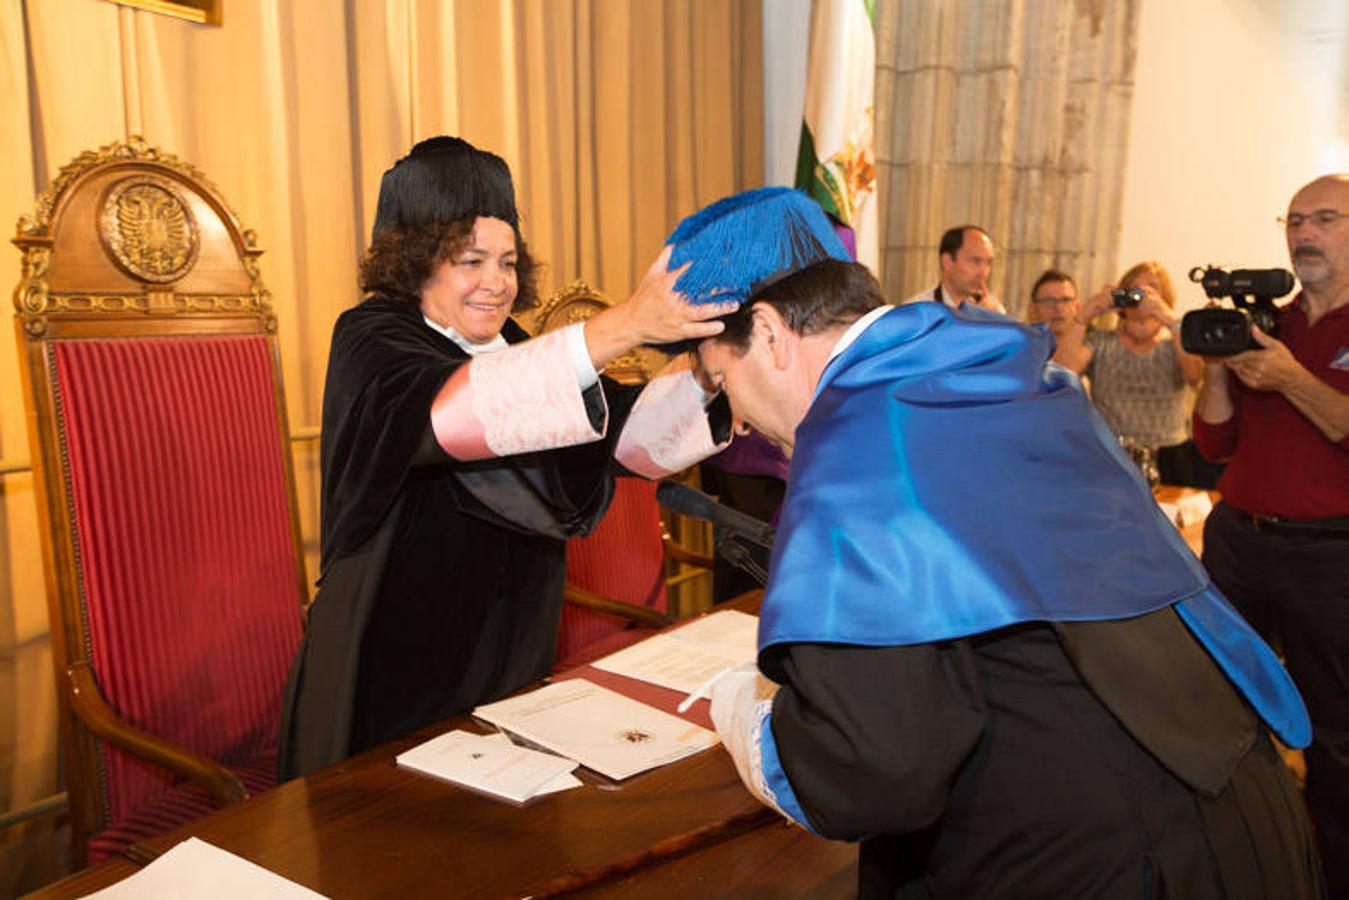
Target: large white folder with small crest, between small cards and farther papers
(606, 732)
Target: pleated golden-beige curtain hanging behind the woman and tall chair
(617, 117)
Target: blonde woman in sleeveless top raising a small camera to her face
(1141, 377)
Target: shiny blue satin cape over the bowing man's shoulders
(950, 481)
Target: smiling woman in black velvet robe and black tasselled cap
(458, 458)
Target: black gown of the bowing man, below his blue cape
(1070, 760)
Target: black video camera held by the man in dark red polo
(1223, 333)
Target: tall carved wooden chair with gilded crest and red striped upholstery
(167, 499)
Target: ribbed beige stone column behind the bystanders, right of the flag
(1007, 114)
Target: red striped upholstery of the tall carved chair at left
(180, 507)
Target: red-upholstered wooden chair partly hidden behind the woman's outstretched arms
(619, 578)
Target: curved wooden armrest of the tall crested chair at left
(90, 705)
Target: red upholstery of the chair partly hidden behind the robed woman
(623, 559)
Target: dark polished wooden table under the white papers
(369, 829)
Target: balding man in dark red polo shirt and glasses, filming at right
(1278, 544)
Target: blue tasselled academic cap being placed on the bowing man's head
(747, 242)
